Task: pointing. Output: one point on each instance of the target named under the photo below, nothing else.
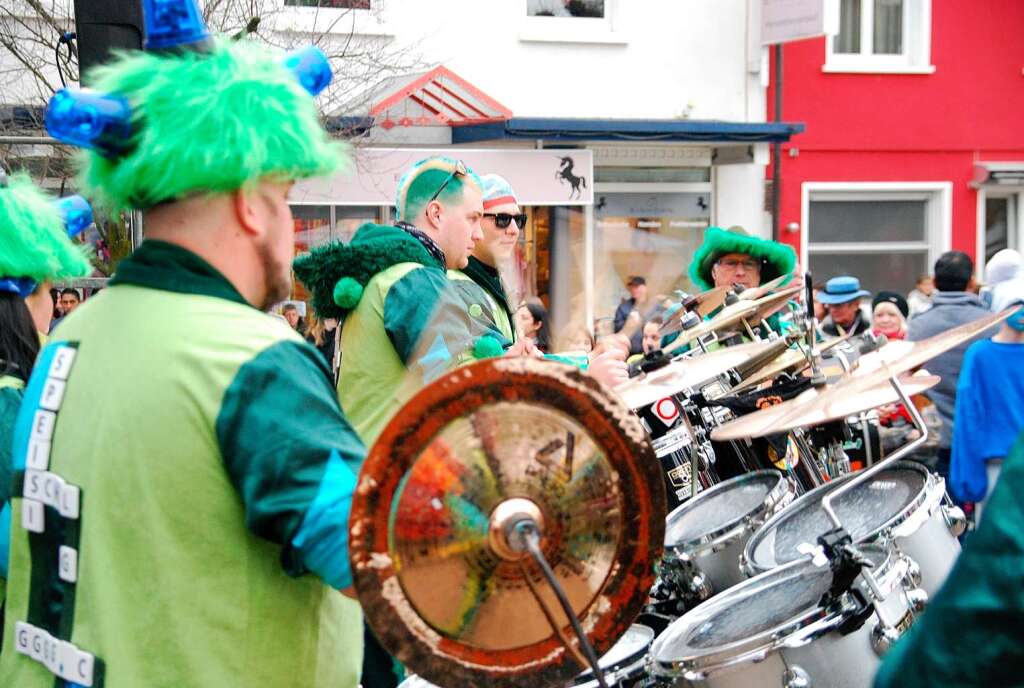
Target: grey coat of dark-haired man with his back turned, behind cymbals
(949, 311)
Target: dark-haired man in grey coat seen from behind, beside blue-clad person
(954, 304)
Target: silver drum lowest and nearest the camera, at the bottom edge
(773, 631)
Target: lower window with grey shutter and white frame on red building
(885, 238)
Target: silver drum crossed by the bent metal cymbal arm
(904, 503)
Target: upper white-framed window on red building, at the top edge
(885, 36)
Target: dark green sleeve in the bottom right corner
(972, 633)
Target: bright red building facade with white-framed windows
(915, 140)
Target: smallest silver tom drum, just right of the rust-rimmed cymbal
(712, 530)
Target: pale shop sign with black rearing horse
(547, 178)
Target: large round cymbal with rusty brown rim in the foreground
(471, 455)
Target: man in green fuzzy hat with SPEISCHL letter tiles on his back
(183, 470)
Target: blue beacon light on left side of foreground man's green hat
(90, 120)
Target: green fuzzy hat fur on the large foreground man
(214, 122)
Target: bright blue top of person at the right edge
(990, 414)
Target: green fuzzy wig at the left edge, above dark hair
(34, 243)
